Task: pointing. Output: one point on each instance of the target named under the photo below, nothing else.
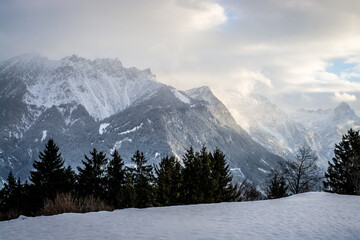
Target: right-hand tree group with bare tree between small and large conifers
(303, 175)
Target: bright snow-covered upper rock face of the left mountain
(103, 86)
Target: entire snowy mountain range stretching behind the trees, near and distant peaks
(84, 104)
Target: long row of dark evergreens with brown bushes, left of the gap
(204, 177)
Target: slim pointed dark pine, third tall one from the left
(116, 181)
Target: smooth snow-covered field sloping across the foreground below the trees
(304, 216)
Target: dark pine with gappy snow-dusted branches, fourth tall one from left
(143, 178)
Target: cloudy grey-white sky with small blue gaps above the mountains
(297, 53)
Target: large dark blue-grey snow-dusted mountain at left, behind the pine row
(84, 104)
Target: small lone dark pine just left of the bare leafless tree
(277, 187)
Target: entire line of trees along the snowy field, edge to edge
(103, 183)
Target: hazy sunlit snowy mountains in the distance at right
(283, 133)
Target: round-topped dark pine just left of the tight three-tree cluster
(168, 181)
